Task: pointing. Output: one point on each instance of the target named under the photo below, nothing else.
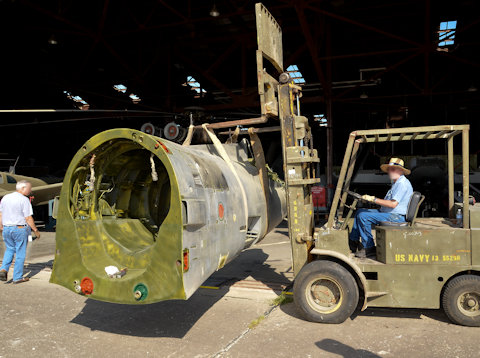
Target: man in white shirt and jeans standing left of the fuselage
(16, 220)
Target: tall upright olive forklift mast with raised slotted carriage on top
(280, 99)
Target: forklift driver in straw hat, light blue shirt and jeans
(392, 208)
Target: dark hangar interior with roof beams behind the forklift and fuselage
(362, 65)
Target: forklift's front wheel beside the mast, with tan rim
(325, 292)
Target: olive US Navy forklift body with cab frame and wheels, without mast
(421, 263)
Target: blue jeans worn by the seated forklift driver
(362, 225)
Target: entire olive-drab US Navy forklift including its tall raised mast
(424, 263)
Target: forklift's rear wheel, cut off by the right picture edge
(461, 300)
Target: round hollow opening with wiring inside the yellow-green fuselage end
(125, 188)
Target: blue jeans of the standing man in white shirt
(15, 239)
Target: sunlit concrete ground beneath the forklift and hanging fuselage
(38, 319)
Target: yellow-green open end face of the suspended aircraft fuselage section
(120, 220)
